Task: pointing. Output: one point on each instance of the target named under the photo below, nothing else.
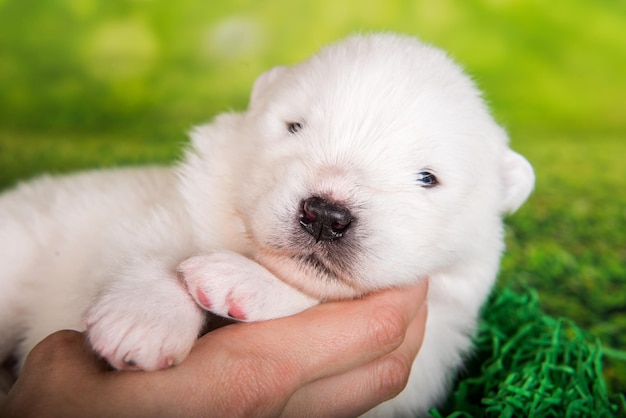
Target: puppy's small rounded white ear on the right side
(518, 179)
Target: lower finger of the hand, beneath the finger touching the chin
(357, 391)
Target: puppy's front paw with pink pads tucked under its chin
(231, 285)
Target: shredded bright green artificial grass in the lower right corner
(529, 364)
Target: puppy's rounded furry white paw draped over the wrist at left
(144, 319)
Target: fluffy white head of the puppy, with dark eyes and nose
(375, 163)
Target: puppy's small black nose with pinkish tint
(323, 219)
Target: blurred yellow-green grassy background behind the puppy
(87, 83)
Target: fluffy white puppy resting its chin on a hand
(374, 164)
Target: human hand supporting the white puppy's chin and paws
(338, 359)
